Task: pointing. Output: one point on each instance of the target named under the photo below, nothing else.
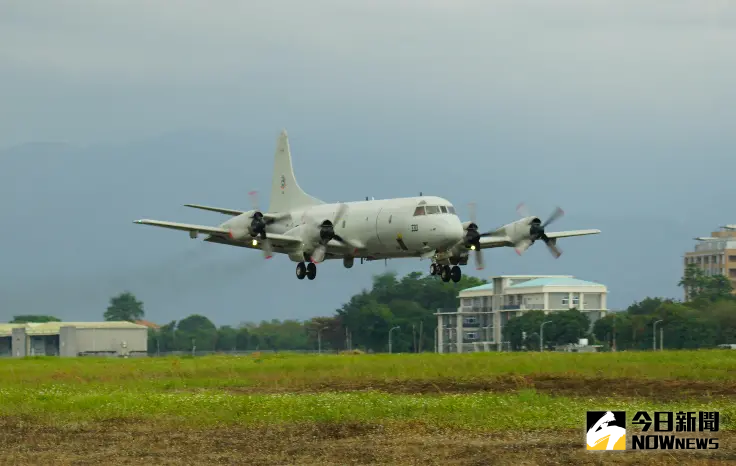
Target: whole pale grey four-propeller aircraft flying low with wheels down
(310, 231)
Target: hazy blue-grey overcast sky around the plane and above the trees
(621, 112)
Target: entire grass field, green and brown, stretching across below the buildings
(482, 408)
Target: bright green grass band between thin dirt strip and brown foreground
(525, 410)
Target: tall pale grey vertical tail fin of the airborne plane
(286, 195)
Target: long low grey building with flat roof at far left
(73, 339)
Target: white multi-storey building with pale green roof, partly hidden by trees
(484, 310)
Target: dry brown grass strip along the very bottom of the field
(139, 442)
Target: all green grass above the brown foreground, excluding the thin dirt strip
(196, 391)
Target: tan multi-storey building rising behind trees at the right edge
(715, 254)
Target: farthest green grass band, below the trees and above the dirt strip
(287, 371)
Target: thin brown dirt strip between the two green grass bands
(662, 390)
